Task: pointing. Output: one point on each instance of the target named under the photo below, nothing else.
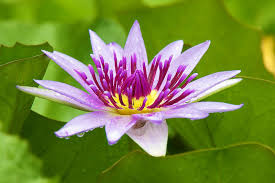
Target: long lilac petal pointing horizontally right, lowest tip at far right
(211, 107)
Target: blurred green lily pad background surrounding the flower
(233, 147)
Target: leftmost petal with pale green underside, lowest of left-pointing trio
(54, 96)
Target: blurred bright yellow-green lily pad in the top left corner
(33, 11)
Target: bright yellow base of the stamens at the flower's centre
(136, 104)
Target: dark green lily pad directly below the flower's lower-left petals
(77, 159)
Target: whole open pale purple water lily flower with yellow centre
(128, 95)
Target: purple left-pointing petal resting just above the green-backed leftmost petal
(73, 93)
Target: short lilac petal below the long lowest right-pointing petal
(184, 112)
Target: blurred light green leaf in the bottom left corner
(17, 163)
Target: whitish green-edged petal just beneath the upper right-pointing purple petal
(217, 88)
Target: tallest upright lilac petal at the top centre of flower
(135, 44)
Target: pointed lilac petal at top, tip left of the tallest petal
(101, 49)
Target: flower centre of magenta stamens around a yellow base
(131, 90)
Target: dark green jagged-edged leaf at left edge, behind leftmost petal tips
(20, 64)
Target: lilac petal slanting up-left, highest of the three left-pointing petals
(70, 64)
